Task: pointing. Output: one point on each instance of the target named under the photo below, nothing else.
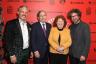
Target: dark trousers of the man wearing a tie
(41, 60)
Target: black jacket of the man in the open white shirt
(13, 37)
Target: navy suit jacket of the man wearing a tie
(38, 40)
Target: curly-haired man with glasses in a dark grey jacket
(80, 34)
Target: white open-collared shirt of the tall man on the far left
(24, 30)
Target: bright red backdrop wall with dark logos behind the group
(53, 8)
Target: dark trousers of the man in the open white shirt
(22, 58)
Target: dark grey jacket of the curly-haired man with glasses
(80, 34)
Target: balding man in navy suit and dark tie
(39, 38)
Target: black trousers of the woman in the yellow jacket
(58, 58)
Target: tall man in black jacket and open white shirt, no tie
(16, 37)
